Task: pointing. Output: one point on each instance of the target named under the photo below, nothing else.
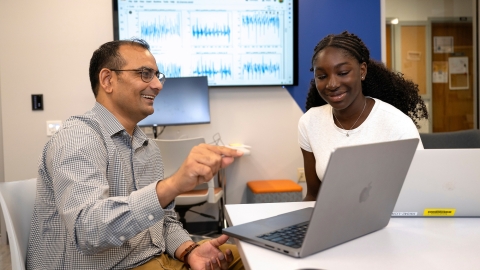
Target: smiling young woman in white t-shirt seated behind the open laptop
(353, 100)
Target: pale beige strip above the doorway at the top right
(421, 10)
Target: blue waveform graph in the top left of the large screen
(161, 28)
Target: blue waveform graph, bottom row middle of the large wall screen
(216, 67)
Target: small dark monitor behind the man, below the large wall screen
(182, 101)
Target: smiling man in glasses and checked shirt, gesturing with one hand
(101, 202)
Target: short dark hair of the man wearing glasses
(107, 56)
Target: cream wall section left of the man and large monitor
(45, 47)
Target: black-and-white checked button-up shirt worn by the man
(96, 204)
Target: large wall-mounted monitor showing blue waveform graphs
(232, 42)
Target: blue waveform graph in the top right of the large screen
(260, 28)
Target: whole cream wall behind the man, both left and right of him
(45, 48)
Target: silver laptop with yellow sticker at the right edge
(441, 183)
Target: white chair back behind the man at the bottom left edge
(17, 199)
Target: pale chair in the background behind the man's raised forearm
(174, 153)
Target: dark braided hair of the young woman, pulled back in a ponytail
(381, 83)
